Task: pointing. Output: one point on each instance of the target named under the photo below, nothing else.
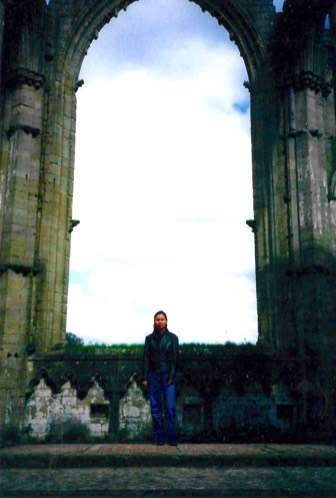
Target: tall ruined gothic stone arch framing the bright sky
(290, 60)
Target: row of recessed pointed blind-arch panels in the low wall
(49, 415)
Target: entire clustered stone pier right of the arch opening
(293, 135)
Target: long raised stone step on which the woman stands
(186, 455)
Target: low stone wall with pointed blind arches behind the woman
(218, 397)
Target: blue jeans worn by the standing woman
(158, 389)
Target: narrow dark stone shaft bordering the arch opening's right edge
(268, 208)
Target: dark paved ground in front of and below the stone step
(169, 481)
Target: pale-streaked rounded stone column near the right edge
(311, 255)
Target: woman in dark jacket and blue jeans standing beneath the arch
(160, 361)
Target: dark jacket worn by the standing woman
(161, 354)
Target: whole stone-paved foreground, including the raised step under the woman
(312, 472)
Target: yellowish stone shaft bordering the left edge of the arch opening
(55, 222)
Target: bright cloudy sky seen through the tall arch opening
(163, 182)
